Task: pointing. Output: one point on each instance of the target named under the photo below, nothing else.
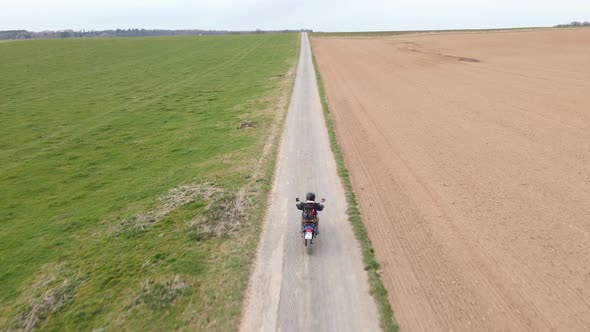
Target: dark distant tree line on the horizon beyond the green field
(24, 34)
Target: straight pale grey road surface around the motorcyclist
(289, 289)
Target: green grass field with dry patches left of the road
(96, 134)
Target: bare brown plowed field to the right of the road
(470, 157)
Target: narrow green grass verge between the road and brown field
(376, 287)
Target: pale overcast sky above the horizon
(319, 15)
